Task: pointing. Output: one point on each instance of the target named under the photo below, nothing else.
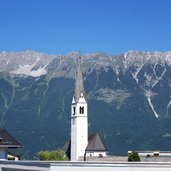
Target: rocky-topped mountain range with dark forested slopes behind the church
(129, 99)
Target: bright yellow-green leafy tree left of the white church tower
(57, 155)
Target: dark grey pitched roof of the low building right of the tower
(95, 143)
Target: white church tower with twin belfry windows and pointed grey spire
(79, 121)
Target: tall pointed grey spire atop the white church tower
(79, 87)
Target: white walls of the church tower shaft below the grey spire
(79, 129)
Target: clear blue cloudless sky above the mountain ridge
(61, 26)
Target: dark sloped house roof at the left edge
(6, 140)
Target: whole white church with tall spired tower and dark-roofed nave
(82, 144)
